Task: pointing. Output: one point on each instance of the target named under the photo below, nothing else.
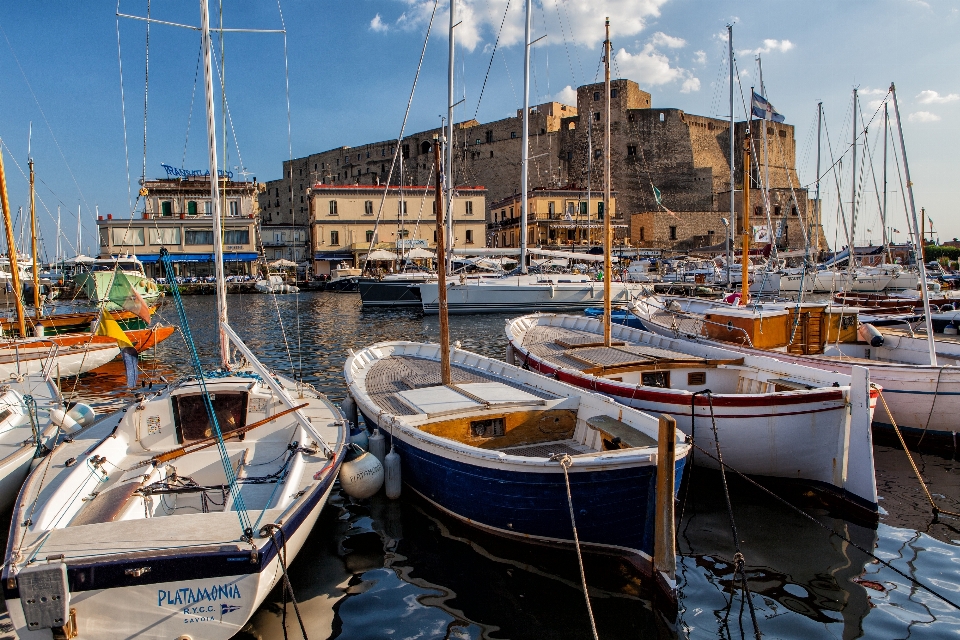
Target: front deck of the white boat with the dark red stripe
(583, 350)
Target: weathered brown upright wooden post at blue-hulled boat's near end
(664, 551)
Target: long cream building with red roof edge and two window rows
(347, 220)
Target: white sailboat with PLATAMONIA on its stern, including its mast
(175, 517)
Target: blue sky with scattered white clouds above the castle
(350, 68)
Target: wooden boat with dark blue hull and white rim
(483, 447)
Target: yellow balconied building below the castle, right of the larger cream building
(555, 218)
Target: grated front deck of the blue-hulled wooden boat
(390, 376)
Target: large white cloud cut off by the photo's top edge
(480, 20)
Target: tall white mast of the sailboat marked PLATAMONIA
(214, 183)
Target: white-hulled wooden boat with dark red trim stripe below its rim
(773, 419)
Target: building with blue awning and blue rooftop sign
(177, 216)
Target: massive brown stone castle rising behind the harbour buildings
(685, 157)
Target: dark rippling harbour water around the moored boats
(400, 569)
